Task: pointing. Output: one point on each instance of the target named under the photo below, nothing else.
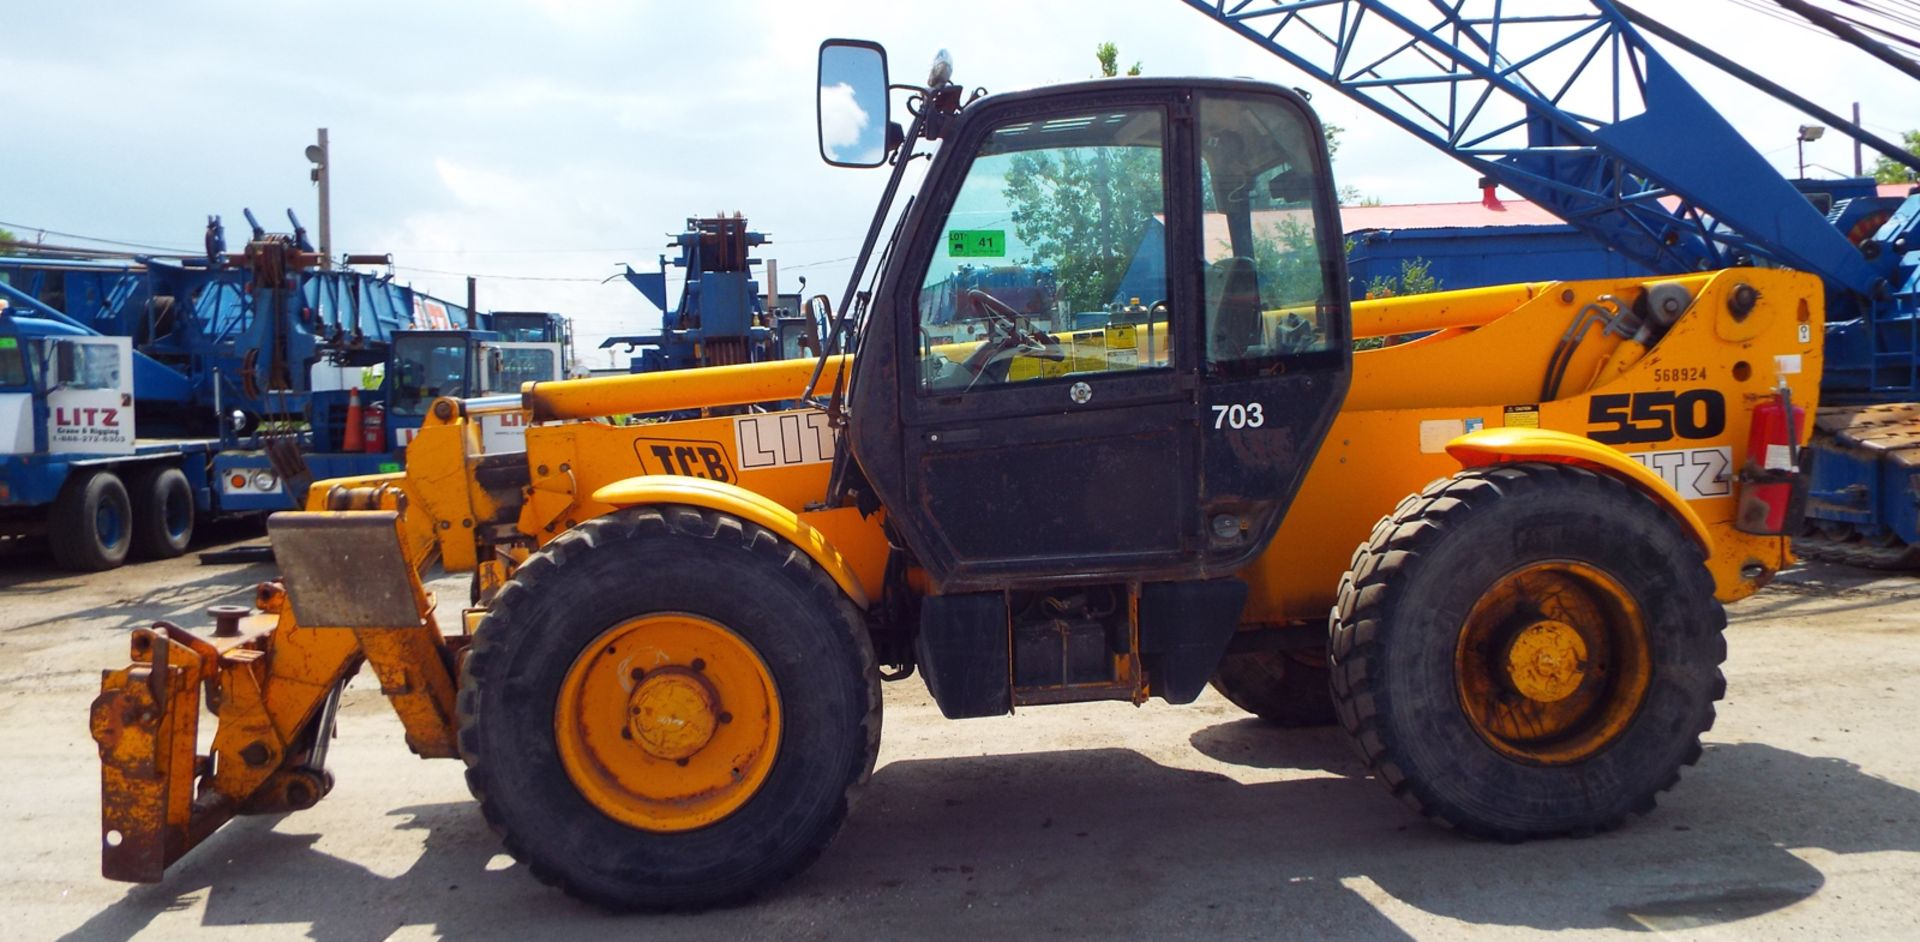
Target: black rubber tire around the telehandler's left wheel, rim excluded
(669, 559)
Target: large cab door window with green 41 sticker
(1053, 258)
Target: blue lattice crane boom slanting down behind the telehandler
(1575, 112)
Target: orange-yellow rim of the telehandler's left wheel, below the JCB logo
(669, 722)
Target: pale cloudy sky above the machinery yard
(544, 143)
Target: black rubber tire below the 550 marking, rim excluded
(1403, 607)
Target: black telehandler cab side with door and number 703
(1044, 410)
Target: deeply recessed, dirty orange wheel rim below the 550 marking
(1552, 663)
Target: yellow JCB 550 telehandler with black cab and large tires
(1105, 438)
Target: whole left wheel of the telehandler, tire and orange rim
(669, 709)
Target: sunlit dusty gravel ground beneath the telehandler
(1063, 822)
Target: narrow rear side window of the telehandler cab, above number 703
(1264, 252)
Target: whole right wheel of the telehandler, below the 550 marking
(1527, 651)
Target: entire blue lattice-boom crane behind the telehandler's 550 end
(1570, 106)
